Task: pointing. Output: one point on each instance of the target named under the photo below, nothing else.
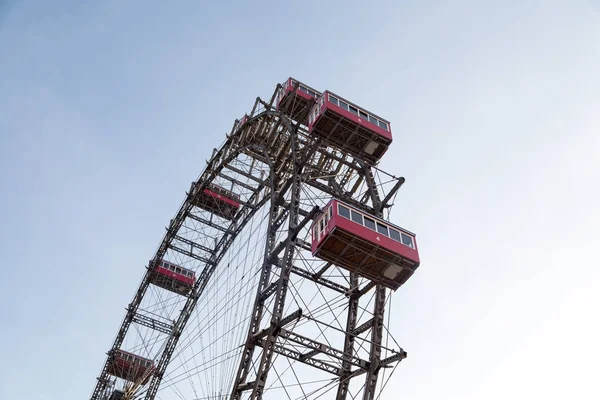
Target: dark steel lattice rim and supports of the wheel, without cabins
(272, 162)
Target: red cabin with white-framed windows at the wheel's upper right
(349, 127)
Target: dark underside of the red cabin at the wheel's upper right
(350, 136)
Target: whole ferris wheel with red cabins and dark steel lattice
(273, 278)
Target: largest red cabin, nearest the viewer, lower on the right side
(364, 244)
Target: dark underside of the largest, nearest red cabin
(366, 259)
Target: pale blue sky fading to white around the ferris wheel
(109, 109)
